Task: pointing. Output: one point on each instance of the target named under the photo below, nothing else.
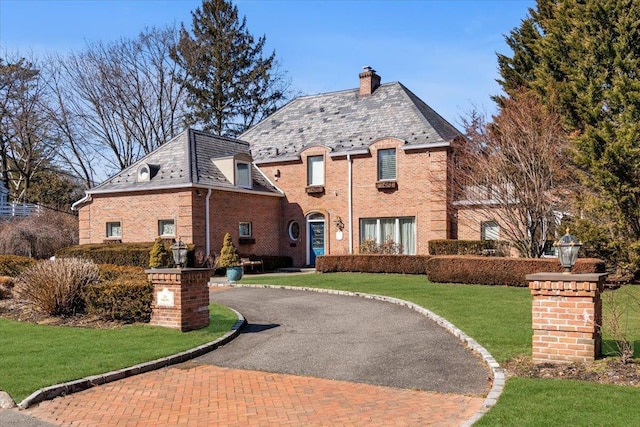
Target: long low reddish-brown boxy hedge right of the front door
(455, 268)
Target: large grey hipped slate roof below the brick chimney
(345, 121)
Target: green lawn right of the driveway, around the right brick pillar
(499, 318)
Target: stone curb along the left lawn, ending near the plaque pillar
(48, 393)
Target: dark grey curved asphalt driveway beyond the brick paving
(346, 338)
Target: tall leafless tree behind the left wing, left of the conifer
(123, 98)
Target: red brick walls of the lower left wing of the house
(139, 214)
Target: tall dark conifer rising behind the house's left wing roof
(231, 85)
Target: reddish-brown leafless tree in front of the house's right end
(510, 170)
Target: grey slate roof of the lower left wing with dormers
(185, 161)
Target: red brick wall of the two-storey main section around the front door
(421, 193)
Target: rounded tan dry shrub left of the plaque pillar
(56, 286)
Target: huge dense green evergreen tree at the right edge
(584, 57)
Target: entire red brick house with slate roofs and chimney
(324, 174)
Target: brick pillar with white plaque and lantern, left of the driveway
(180, 298)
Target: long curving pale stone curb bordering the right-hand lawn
(473, 345)
